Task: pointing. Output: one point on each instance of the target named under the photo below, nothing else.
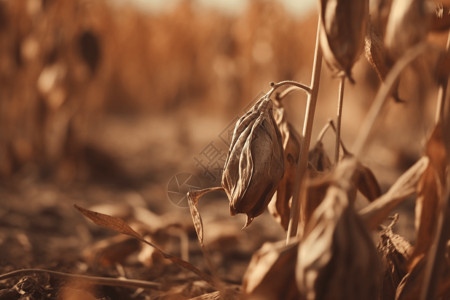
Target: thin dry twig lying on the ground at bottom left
(92, 280)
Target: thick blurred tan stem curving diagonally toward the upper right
(383, 94)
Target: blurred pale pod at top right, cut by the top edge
(406, 27)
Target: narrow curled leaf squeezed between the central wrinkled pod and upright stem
(279, 207)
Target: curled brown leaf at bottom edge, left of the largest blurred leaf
(271, 272)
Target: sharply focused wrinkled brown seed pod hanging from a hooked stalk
(255, 164)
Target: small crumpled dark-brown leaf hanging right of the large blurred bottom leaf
(395, 252)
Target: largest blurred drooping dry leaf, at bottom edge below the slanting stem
(337, 253)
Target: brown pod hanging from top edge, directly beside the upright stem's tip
(343, 27)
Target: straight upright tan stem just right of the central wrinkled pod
(307, 132)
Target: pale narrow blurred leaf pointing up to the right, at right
(374, 213)
